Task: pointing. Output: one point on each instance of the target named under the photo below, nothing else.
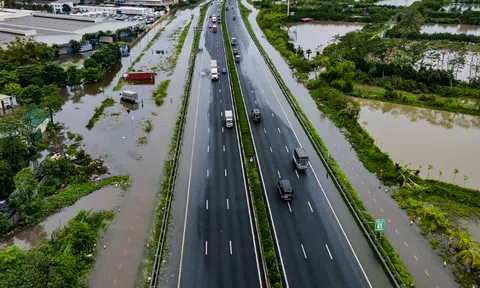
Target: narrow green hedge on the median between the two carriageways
(267, 246)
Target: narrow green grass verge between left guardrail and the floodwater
(167, 191)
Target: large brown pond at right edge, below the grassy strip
(420, 136)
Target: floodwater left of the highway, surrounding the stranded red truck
(114, 138)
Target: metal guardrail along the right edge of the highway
(364, 224)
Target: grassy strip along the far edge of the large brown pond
(422, 100)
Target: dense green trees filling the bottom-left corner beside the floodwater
(63, 261)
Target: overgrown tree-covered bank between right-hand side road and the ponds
(438, 205)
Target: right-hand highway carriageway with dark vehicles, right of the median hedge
(314, 248)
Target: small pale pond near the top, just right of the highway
(316, 35)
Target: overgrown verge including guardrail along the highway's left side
(159, 229)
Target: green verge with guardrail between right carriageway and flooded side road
(393, 261)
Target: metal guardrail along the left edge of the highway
(173, 174)
